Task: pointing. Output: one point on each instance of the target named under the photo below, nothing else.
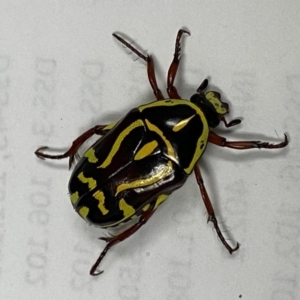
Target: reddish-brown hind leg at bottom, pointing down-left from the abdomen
(111, 241)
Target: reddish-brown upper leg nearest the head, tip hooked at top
(171, 89)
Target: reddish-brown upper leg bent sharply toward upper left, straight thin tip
(150, 67)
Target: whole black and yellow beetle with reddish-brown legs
(144, 157)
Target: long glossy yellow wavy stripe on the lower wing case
(146, 181)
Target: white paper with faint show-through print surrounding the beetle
(61, 72)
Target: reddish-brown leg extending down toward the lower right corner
(211, 214)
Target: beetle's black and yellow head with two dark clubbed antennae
(212, 106)
